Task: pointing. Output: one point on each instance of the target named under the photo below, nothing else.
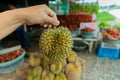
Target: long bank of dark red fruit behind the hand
(72, 21)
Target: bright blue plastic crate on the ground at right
(111, 53)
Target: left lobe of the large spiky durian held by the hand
(46, 41)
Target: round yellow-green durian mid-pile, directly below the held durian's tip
(56, 68)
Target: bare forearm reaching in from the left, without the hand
(10, 20)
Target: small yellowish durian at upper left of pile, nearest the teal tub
(34, 60)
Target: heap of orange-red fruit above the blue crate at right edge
(111, 33)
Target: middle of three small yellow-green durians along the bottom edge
(47, 75)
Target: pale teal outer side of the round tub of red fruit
(12, 65)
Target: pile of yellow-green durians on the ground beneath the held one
(71, 70)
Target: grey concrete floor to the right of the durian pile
(100, 68)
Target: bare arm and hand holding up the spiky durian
(39, 14)
